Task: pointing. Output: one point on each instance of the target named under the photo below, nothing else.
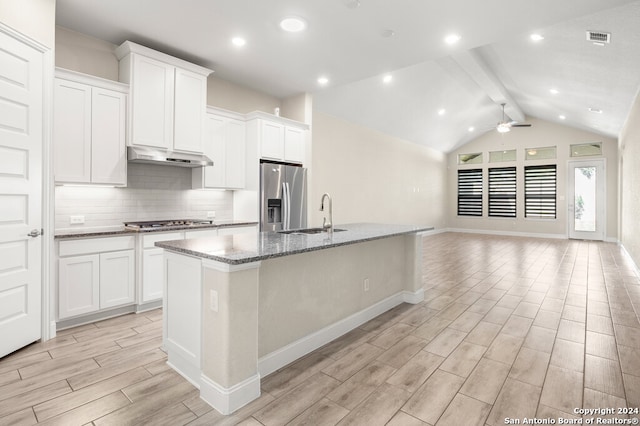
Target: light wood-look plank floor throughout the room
(510, 328)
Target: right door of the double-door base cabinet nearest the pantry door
(117, 278)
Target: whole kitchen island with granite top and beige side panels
(239, 307)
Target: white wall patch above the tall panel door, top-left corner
(34, 18)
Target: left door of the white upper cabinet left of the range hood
(71, 132)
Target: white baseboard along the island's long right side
(287, 354)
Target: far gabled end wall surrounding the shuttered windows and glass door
(541, 134)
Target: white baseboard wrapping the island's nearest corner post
(228, 400)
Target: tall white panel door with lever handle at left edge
(21, 133)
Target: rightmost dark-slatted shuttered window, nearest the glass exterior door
(540, 191)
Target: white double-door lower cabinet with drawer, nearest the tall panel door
(95, 274)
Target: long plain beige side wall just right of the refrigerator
(374, 177)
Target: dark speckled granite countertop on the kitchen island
(246, 248)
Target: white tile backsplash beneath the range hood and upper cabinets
(153, 192)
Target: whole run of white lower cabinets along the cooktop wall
(95, 274)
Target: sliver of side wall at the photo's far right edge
(629, 153)
